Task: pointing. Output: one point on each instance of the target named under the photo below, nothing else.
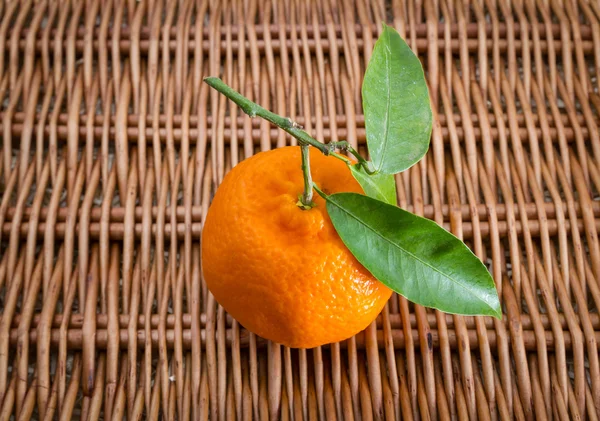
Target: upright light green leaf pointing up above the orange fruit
(396, 104)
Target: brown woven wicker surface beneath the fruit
(112, 148)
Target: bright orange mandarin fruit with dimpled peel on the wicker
(283, 272)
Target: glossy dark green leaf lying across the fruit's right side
(414, 256)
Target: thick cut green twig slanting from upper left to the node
(253, 110)
